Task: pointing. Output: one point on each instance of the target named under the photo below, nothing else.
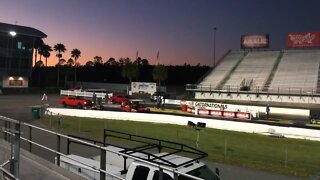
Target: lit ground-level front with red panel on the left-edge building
(15, 82)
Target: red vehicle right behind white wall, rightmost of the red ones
(134, 105)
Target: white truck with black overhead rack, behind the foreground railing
(138, 164)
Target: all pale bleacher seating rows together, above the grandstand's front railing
(297, 70)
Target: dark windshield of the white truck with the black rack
(203, 172)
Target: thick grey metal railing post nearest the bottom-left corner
(15, 152)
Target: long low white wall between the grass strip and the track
(291, 132)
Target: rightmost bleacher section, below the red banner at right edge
(298, 70)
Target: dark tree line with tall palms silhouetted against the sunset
(123, 70)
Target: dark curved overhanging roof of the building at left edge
(22, 30)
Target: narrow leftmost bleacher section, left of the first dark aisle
(222, 69)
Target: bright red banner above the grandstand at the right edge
(304, 39)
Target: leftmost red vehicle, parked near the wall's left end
(74, 101)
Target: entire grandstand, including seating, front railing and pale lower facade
(293, 72)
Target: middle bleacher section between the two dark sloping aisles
(255, 68)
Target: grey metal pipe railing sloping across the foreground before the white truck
(15, 156)
